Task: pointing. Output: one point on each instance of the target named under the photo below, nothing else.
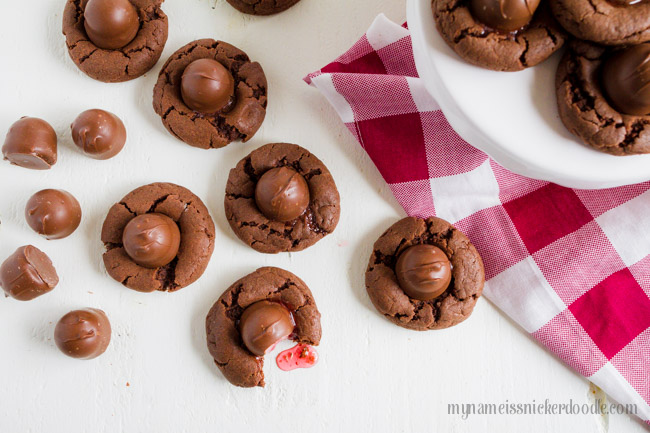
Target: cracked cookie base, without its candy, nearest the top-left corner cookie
(243, 118)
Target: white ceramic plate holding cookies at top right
(512, 116)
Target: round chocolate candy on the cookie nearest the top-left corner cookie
(207, 86)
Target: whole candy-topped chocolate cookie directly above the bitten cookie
(281, 198)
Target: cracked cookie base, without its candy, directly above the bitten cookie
(264, 235)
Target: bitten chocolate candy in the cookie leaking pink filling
(263, 324)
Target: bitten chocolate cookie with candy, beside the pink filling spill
(252, 315)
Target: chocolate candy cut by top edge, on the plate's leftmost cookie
(504, 15)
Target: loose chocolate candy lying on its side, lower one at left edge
(27, 274)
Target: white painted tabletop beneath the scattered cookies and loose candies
(373, 376)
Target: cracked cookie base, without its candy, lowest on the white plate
(584, 110)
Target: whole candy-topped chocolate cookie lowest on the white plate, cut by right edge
(602, 95)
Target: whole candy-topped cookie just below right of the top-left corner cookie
(199, 75)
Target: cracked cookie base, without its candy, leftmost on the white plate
(484, 47)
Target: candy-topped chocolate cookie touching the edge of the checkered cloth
(396, 266)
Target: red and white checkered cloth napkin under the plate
(572, 267)
